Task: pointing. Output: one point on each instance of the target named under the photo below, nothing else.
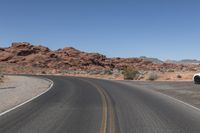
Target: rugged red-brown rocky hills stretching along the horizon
(23, 54)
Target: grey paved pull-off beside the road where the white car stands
(185, 91)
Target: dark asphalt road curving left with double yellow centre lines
(83, 105)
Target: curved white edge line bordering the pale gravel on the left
(19, 105)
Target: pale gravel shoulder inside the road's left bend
(18, 89)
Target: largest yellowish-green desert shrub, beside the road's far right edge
(130, 73)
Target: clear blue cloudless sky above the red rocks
(166, 29)
